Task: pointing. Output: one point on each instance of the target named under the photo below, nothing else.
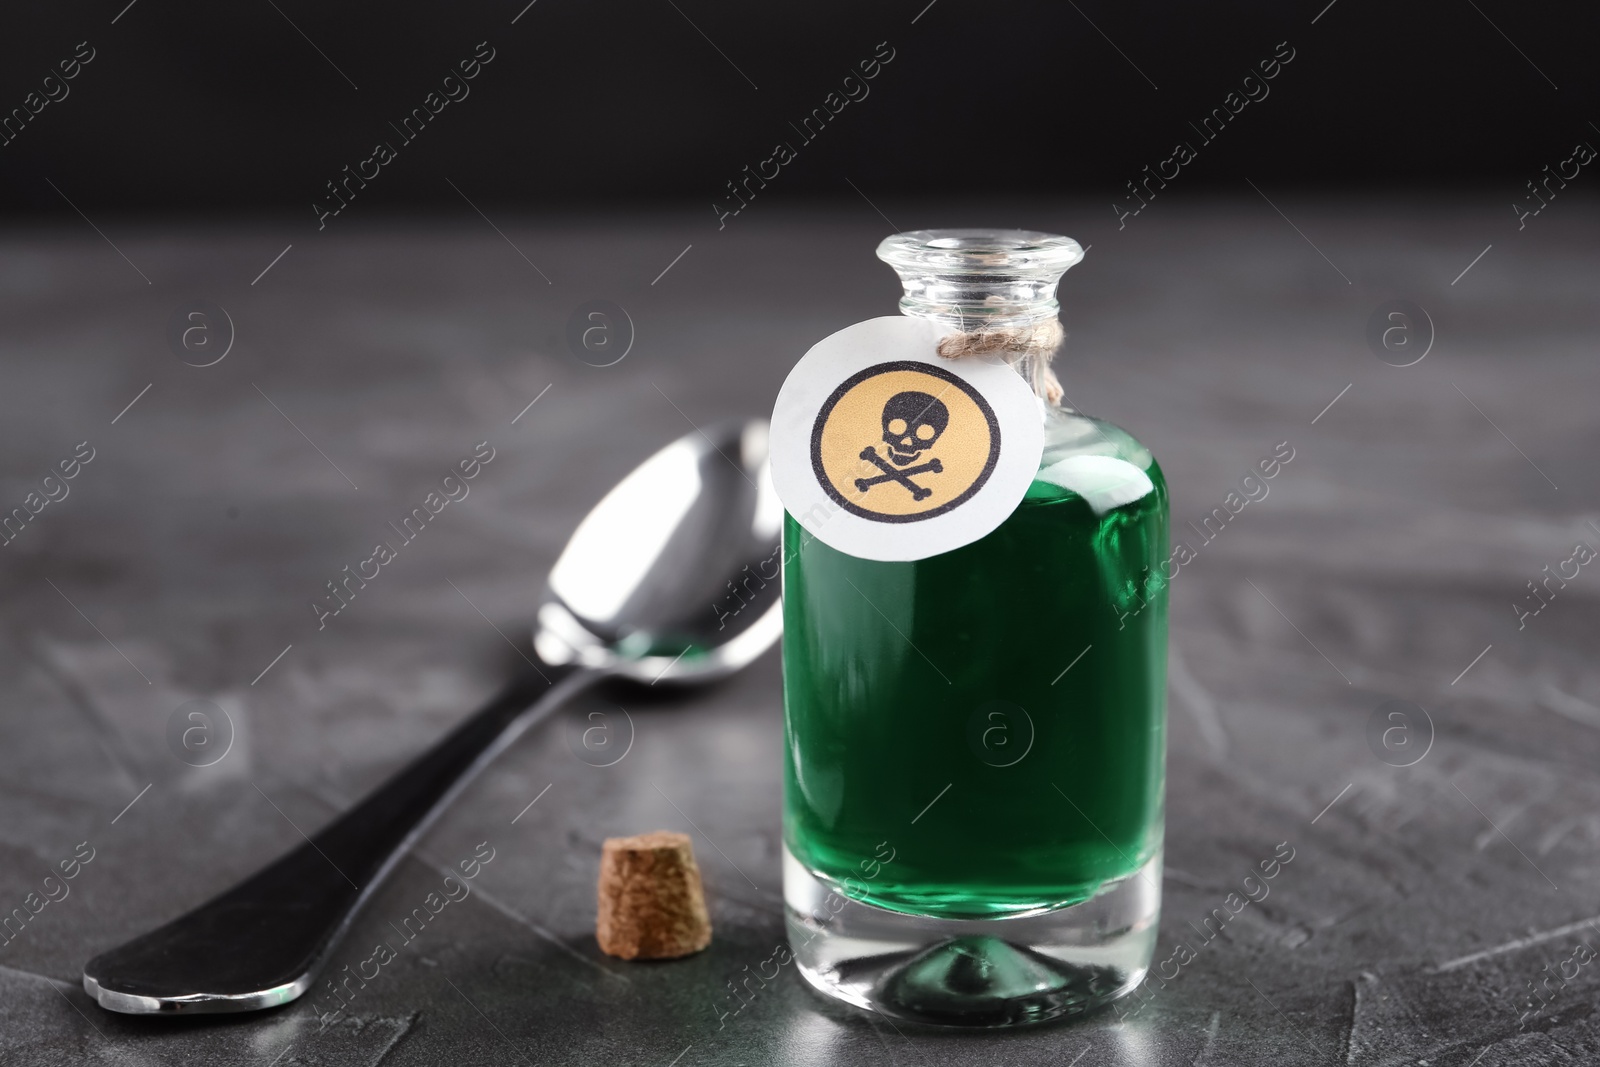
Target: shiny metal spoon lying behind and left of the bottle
(642, 591)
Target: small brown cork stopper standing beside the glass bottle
(652, 901)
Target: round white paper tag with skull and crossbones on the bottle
(886, 450)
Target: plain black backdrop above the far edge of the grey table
(198, 108)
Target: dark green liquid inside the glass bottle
(905, 679)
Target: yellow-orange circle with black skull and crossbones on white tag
(900, 442)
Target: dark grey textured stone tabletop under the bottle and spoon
(1423, 903)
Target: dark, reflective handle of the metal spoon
(262, 943)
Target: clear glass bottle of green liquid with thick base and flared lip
(975, 741)
